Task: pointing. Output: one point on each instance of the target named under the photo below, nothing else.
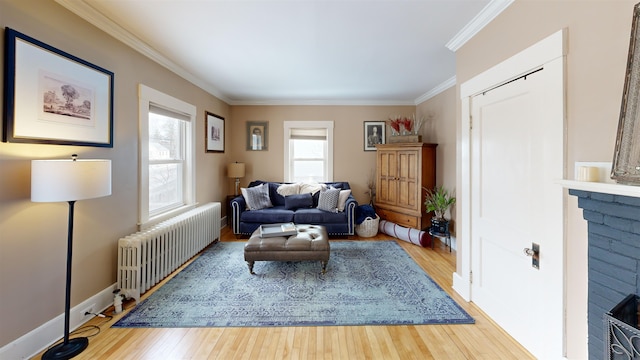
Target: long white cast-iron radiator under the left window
(148, 256)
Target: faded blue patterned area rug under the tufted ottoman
(367, 283)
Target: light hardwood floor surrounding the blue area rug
(482, 340)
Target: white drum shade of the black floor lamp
(69, 180)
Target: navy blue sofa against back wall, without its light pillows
(246, 221)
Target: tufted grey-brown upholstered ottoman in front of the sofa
(311, 243)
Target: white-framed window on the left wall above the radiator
(166, 156)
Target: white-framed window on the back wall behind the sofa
(308, 150)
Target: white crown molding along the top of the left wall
(102, 22)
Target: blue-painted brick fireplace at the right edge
(614, 254)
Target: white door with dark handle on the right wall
(516, 155)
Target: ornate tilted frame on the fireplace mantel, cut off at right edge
(626, 158)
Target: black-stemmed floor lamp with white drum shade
(69, 180)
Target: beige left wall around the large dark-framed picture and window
(33, 235)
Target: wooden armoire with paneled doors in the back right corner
(403, 170)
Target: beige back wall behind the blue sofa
(351, 162)
